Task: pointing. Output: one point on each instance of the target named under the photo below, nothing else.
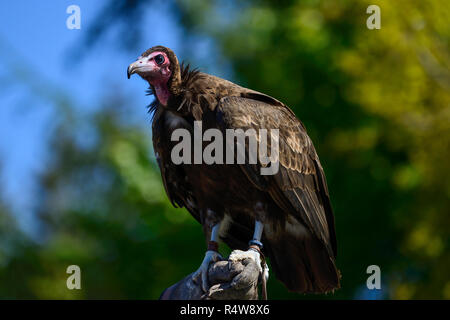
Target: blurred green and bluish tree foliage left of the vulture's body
(105, 210)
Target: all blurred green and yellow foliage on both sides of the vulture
(376, 103)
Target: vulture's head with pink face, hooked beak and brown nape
(160, 68)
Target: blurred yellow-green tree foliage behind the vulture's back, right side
(377, 105)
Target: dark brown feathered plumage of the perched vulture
(299, 236)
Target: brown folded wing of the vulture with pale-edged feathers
(299, 187)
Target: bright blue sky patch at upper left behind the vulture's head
(34, 39)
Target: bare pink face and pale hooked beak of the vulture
(155, 68)
